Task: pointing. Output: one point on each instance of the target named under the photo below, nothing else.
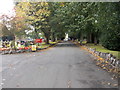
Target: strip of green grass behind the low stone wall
(102, 49)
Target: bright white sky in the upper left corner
(6, 7)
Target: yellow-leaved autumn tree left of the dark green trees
(36, 15)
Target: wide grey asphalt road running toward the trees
(63, 66)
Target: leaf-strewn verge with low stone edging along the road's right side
(106, 61)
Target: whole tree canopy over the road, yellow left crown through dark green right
(98, 22)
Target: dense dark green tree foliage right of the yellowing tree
(98, 22)
